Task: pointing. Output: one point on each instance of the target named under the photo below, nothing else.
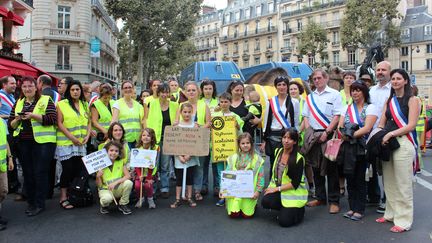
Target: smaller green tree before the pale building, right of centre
(313, 40)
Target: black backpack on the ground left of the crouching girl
(79, 192)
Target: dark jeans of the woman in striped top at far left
(35, 159)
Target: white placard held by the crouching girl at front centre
(237, 184)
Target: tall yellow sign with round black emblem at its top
(224, 137)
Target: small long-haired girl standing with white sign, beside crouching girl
(145, 177)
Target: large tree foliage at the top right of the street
(366, 23)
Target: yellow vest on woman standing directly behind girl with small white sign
(131, 120)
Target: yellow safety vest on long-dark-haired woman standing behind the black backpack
(75, 123)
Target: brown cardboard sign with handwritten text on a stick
(186, 141)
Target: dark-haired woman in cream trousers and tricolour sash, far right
(399, 118)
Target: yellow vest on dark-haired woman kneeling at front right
(290, 198)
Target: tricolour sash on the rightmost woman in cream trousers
(401, 121)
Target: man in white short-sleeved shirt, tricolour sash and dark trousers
(321, 115)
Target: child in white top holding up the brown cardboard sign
(185, 164)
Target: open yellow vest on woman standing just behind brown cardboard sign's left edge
(154, 119)
